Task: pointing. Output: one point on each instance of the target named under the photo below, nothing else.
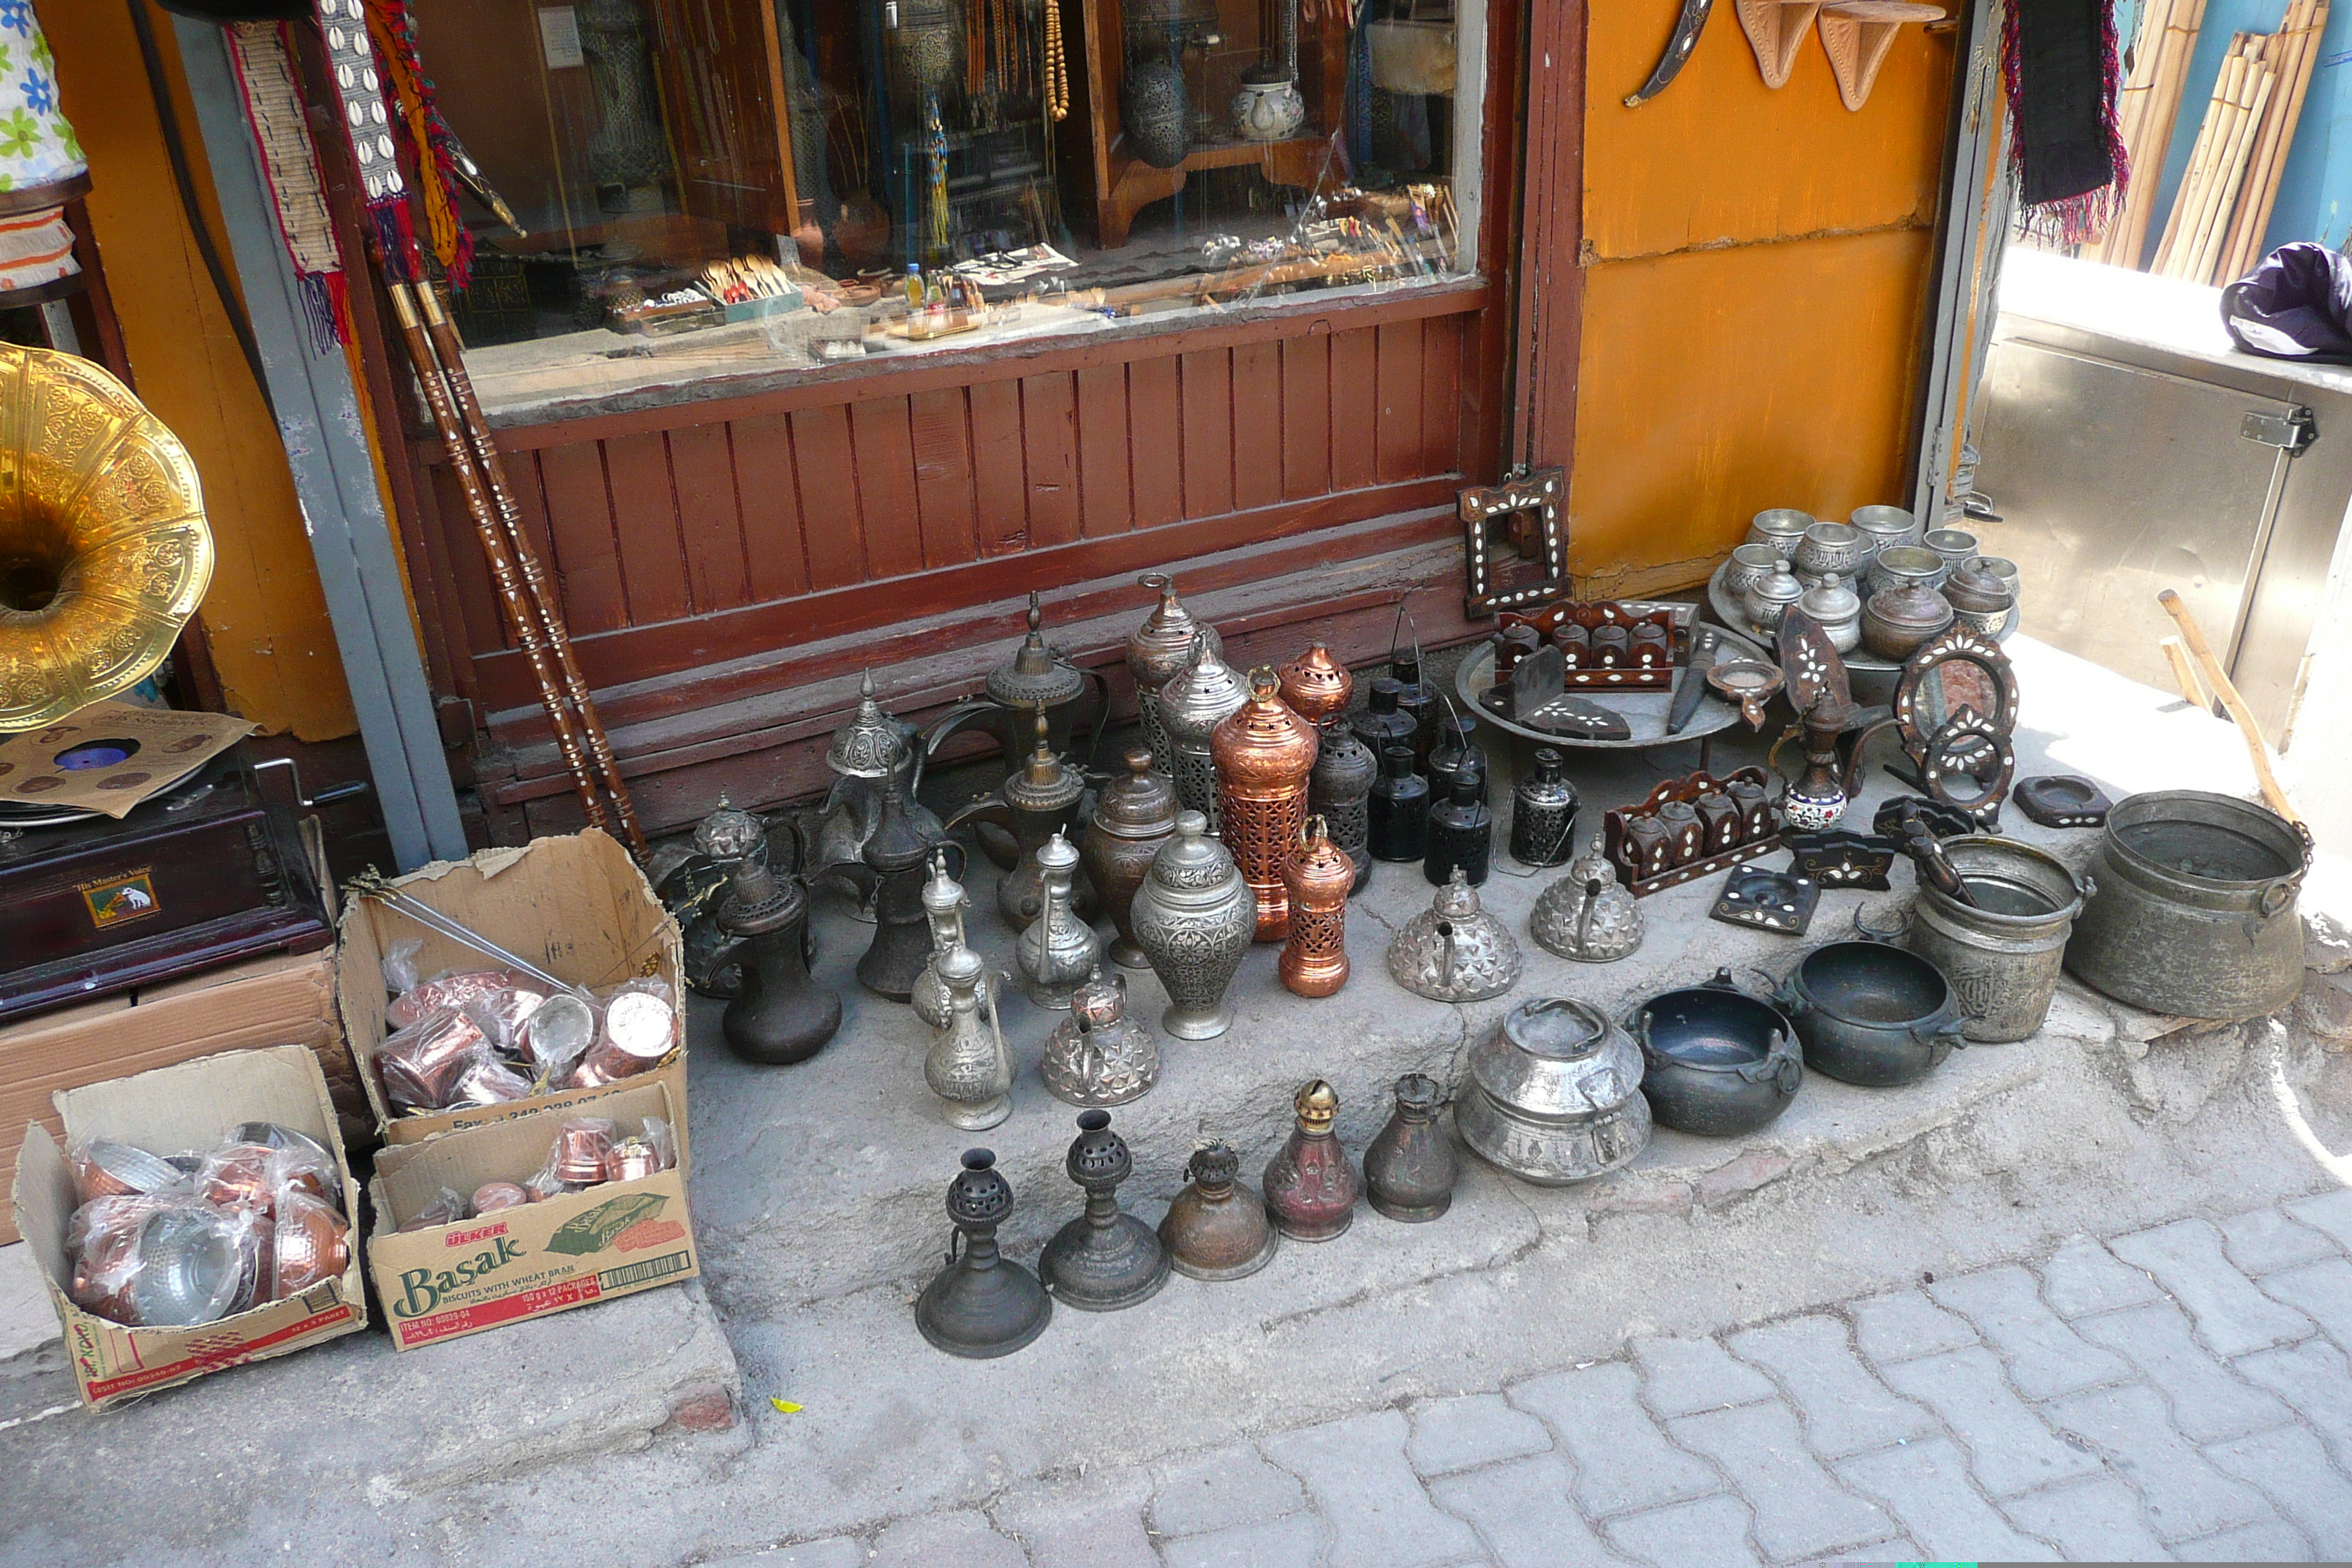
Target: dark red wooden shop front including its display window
(1267, 370)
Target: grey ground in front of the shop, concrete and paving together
(2071, 1299)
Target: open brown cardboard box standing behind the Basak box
(577, 906)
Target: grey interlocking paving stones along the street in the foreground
(2172, 1393)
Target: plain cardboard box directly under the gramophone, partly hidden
(262, 1003)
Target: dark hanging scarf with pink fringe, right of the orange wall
(2059, 65)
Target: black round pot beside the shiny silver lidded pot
(1716, 1061)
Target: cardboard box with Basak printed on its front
(610, 1240)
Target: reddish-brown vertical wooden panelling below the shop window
(669, 542)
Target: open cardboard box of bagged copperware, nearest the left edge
(182, 1108)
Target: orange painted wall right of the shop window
(1758, 276)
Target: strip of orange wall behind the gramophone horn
(267, 617)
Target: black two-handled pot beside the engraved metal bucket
(1871, 1014)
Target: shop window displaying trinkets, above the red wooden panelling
(747, 187)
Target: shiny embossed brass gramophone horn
(105, 549)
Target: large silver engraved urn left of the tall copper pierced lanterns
(1196, 920)
